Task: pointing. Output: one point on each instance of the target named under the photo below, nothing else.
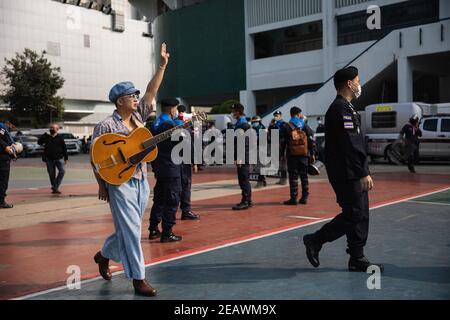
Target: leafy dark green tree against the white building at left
(32, 84)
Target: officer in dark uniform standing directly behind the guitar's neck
(166, 194)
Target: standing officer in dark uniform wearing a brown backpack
(298, 164)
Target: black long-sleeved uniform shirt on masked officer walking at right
(345, 148)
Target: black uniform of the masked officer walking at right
(346, 164)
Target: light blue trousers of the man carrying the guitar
(127, 202)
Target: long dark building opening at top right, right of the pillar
(352, 28)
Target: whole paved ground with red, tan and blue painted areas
(44, 234)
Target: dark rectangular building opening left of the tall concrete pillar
(294, 39)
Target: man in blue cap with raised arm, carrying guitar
(128, 200)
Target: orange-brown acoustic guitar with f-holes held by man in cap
(115, 157)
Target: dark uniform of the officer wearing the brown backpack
(298, 165)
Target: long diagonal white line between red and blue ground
(229, 244)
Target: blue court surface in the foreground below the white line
(411, 239)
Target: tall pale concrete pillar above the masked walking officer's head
(329, 27)
